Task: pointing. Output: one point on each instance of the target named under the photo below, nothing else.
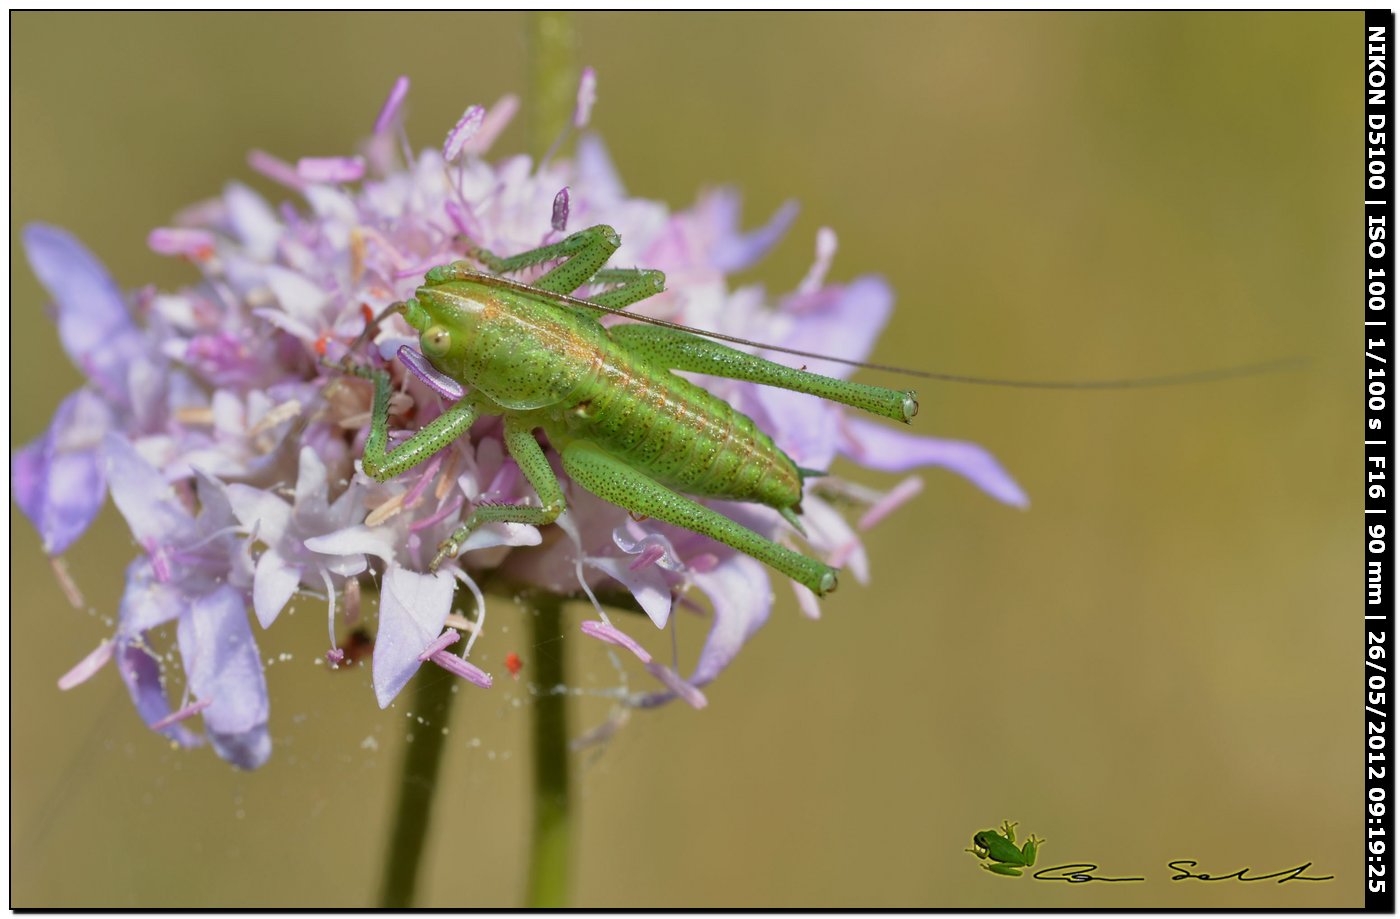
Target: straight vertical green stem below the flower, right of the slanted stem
(549, 852)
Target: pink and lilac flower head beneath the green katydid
(233, 450)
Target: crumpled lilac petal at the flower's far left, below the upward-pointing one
(58, 480)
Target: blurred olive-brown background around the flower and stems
(1157, 661)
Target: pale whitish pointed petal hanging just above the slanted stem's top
(412, 611)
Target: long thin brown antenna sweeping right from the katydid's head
(1128, 383)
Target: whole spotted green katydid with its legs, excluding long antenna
(625, 425)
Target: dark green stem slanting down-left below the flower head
(422, 761)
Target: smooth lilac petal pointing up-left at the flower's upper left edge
(92, 310)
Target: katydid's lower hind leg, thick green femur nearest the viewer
(619, 484)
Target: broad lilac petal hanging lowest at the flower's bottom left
(222, 666)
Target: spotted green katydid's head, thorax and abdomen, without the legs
(565, 375)
